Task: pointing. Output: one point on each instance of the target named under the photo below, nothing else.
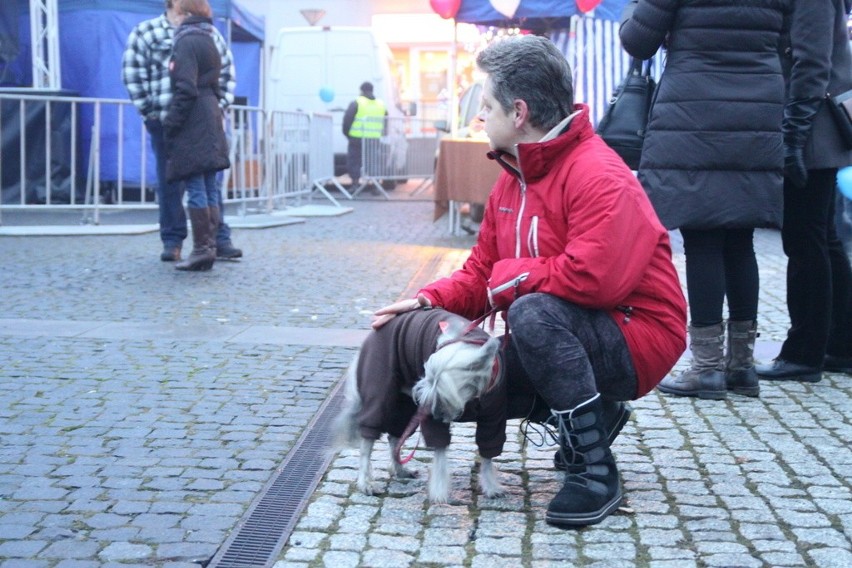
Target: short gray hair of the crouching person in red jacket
(532, 69)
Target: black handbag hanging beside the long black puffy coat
(626, 118)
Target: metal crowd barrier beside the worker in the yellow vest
(405, 151)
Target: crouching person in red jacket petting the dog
(572, 248)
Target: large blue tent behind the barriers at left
(92, 37)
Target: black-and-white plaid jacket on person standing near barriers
(145, 67)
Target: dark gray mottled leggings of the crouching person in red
(567, 353)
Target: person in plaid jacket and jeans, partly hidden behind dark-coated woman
(145, 71)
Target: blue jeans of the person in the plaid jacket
(170, 197)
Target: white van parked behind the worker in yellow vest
(319, 69)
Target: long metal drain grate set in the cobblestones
(272, 517)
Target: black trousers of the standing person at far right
(819, 277)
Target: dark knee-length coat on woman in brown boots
(195, 136)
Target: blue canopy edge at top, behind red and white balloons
(536, 15)
